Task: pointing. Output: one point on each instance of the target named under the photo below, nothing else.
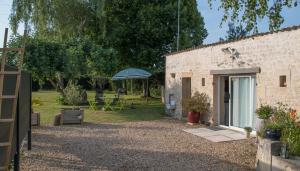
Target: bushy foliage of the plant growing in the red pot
(198, 103)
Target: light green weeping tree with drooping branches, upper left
(57, 19)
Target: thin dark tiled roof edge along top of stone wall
(236, 40)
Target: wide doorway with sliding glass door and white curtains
(237, 103)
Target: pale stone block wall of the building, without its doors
(276, 54)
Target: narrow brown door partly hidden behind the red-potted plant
(186, 93)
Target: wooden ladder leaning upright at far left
(7, 146)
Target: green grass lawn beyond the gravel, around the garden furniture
(49, 107)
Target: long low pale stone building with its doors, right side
(237, 75)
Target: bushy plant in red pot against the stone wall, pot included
(198, 104)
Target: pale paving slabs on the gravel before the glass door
(216, 134)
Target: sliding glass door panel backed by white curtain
(242, 101)
